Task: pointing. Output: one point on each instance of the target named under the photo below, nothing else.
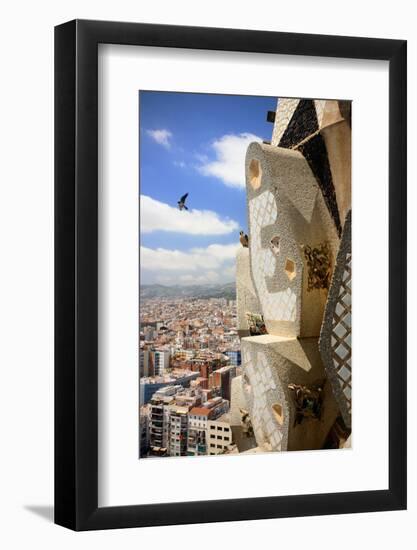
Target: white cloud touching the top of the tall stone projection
(229, 165)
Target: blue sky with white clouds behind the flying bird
(195, 143)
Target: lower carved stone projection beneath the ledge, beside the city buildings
(272, 365)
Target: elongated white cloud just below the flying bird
(159, 216)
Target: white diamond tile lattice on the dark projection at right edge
(341, 335)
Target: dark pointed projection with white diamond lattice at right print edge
(335, 337)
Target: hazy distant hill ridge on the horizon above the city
(227, 291)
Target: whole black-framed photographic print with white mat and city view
(230, 275)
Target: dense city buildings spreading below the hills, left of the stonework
(189, 356)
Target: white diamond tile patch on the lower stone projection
(262, 394)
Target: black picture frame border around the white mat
(76, 272)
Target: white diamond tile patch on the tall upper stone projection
(281, 305)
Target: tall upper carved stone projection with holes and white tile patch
(286, 211)
